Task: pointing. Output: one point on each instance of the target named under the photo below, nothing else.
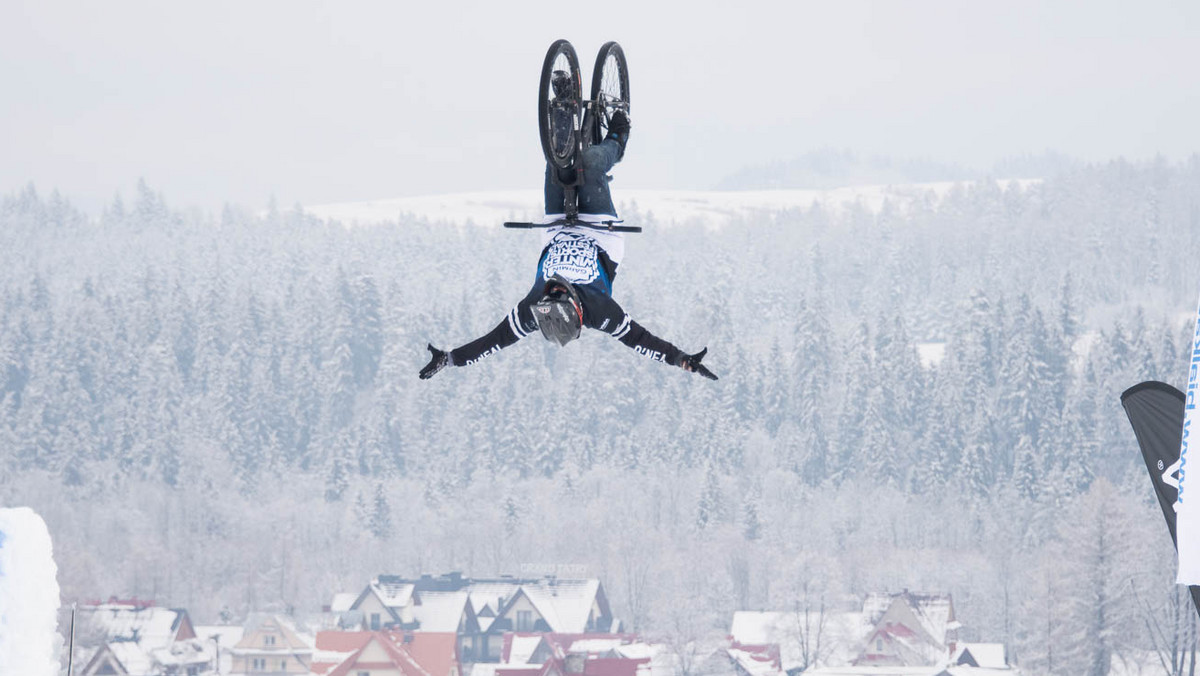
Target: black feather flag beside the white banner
(1156, 412)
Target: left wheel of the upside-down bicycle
(559, 104)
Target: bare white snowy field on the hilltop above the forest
(668, 207)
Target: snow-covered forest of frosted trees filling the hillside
(224, 412)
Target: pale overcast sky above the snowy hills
(319, 103)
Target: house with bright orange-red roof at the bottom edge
(386, 654)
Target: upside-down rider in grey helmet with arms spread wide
(575, 274)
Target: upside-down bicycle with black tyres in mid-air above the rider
(569, 124)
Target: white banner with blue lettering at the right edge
(1187, 510)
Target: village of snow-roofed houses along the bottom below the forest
(454, 626)
